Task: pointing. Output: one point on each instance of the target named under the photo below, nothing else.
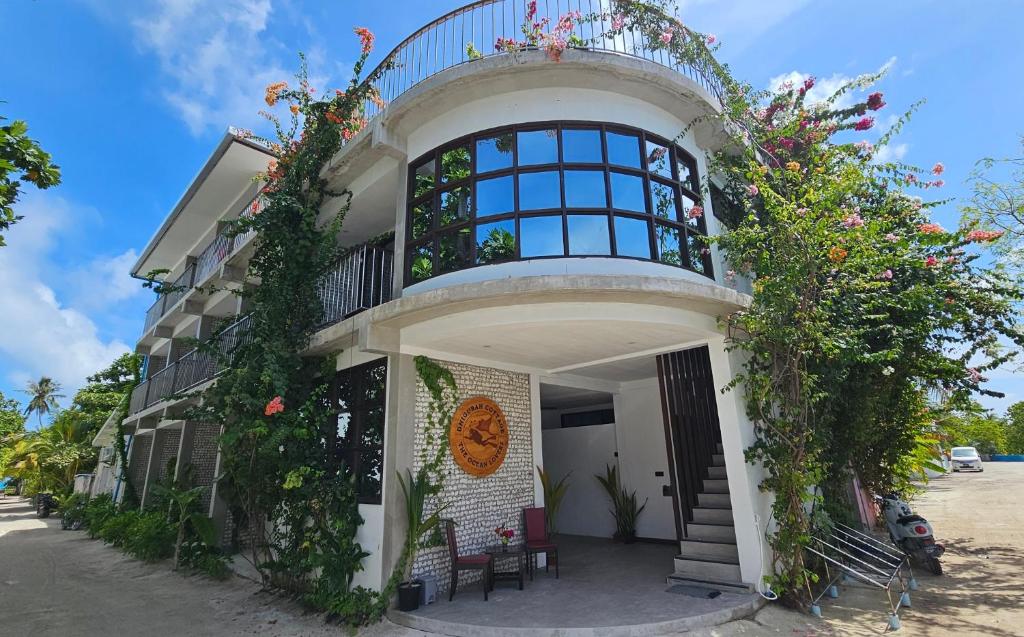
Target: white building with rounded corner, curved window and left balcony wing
(545, 252)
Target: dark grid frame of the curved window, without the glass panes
(690, 188)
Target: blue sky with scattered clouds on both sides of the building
(131, 99)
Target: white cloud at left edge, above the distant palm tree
(40, 333)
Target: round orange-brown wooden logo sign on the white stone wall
(480, 437)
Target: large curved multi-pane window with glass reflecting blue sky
(553, 190)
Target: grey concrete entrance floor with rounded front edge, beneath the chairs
(604, 585)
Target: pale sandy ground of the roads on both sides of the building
(61, 583)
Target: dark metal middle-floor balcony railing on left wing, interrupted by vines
(361, 281)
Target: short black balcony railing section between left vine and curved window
(361, 281)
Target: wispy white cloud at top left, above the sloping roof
(218, 56)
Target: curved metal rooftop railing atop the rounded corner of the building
(444, 44)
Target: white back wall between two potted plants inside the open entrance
(585, 452)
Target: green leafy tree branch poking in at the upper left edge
(21, 160)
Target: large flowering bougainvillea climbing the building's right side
(863, 307)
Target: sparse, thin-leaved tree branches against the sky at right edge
(998, 206)
